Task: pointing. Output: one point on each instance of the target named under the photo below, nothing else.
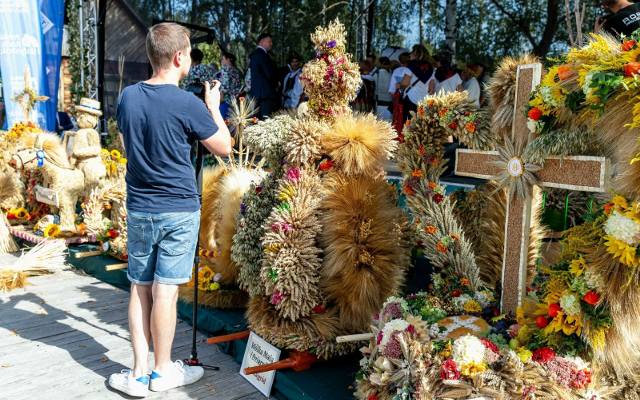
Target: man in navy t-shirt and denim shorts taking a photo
(160, 122)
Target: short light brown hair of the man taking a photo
(164, 40)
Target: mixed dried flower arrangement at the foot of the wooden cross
(406, 360)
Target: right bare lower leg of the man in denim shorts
(163, 323)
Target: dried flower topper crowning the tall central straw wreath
(332, 79)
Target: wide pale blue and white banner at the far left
(21, 52)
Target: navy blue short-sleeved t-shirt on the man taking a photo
(159, 124)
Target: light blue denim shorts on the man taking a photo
(161, 246)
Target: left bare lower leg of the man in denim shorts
(140, 304)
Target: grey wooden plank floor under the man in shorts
(61, 337)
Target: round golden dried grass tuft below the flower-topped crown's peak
(360, 144)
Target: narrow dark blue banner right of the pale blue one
(52, 25)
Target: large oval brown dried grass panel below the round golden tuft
(365, 250)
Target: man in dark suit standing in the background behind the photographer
(264, 77)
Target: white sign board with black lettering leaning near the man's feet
(259, 352)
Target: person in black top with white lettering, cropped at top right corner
(624, 17)
